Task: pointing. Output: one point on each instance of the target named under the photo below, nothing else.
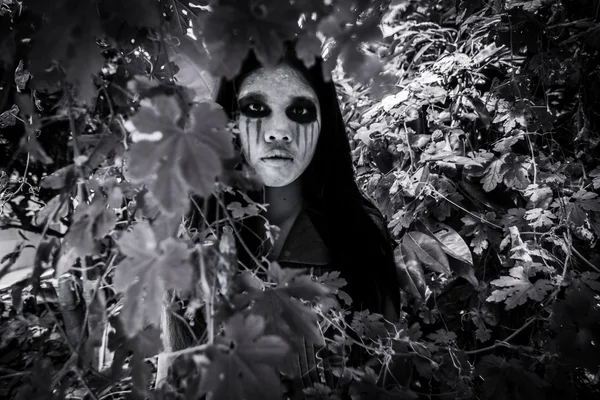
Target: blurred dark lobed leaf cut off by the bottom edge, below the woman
(242, 360)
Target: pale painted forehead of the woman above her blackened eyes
(280, 82)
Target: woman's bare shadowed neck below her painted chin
(284, 202)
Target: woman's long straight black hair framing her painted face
(354, 230)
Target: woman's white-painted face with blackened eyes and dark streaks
(280, 123)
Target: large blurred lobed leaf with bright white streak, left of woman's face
(186, 159)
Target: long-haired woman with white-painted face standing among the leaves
(293, 135)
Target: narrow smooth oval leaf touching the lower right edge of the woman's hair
(410, 272)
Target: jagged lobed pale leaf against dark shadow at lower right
(517, 289)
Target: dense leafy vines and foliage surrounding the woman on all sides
(473, 127)
